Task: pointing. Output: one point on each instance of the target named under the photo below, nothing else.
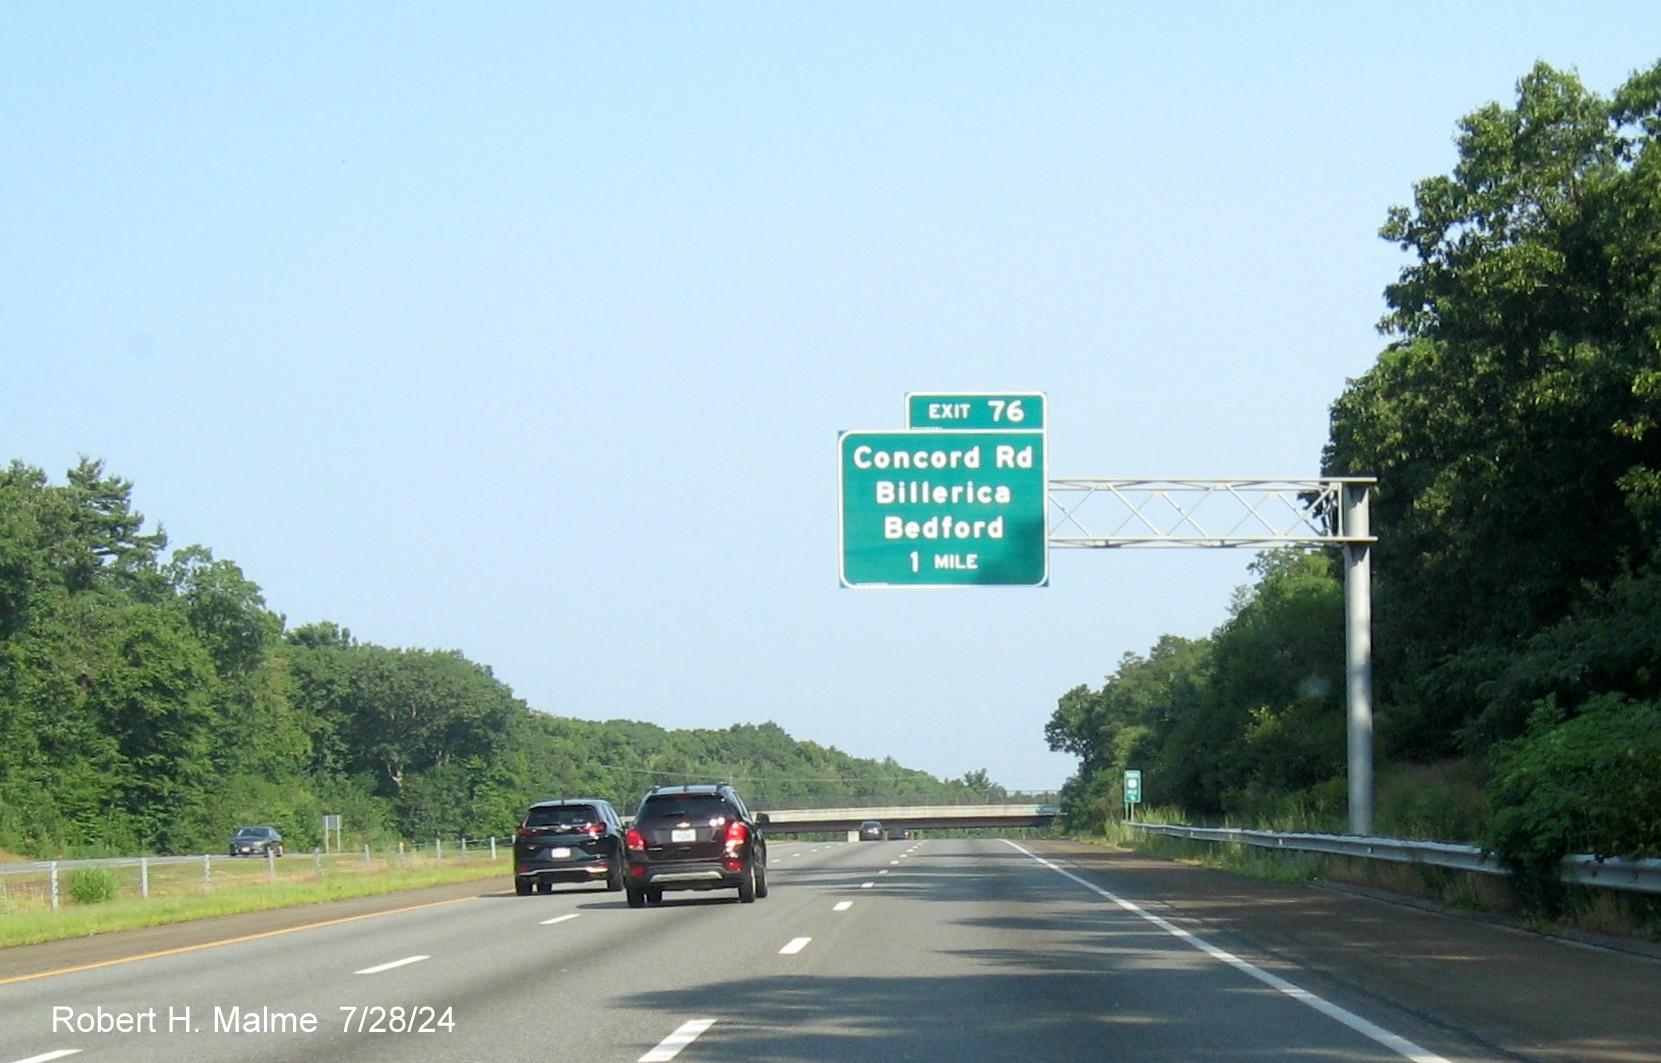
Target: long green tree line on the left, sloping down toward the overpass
(150, 702)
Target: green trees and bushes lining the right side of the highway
(1512, 423)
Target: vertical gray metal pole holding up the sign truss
(1358, 652)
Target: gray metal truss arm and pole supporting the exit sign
(1253, 516)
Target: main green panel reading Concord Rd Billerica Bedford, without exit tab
(944, 509)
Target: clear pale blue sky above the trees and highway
(529, 330)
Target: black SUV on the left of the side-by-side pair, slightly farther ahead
(576, 840)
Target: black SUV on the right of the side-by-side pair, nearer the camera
(695, 838)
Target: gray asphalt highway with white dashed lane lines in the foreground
(941, 949)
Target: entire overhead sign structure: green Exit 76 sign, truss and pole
(963, 497)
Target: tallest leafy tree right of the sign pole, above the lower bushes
(1512, 419)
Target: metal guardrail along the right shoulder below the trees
(1609, 873)
